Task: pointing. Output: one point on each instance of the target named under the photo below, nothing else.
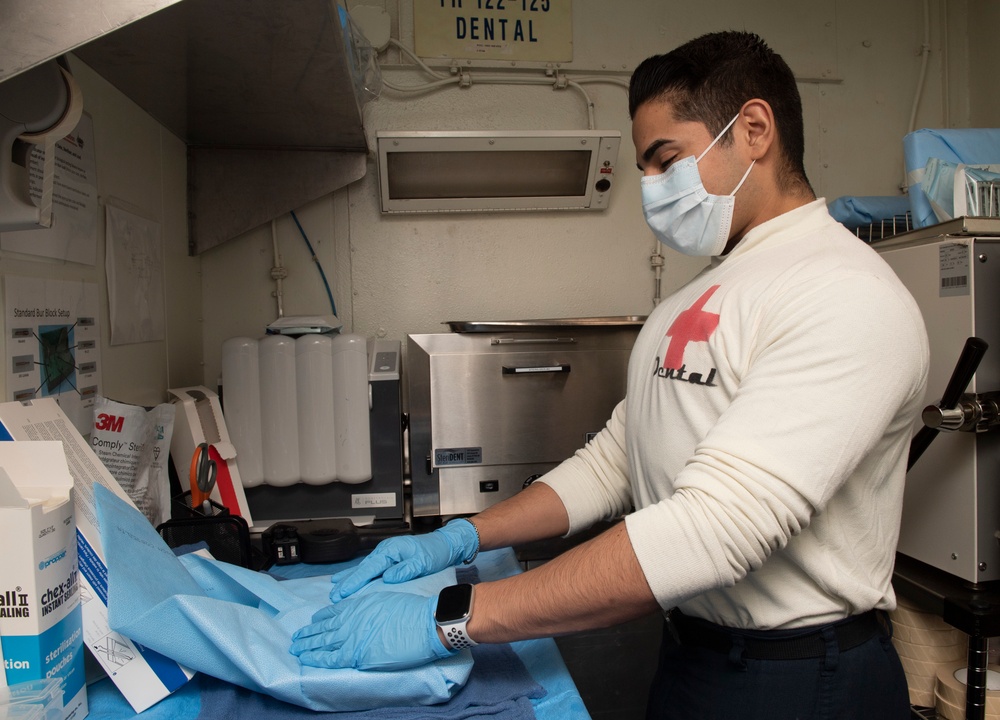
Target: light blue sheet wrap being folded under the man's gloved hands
(236, 625)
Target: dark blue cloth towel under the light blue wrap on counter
(499, 688)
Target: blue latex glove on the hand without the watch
(404, 558)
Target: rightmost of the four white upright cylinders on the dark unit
(350, 404)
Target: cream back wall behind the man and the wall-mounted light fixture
(858, 63)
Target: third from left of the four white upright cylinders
(314, 383)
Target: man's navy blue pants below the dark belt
(865, 682)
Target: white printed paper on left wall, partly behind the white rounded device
(73, 235)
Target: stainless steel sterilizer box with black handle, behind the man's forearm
(498, 404)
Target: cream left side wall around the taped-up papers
(142, 168)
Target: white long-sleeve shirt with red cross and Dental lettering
(764, 437)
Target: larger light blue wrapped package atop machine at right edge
(975, 146)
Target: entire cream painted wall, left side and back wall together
(858, 62)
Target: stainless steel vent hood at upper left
(262, 92)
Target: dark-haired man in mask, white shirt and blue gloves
(762, 444)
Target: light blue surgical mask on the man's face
(682, 214)
